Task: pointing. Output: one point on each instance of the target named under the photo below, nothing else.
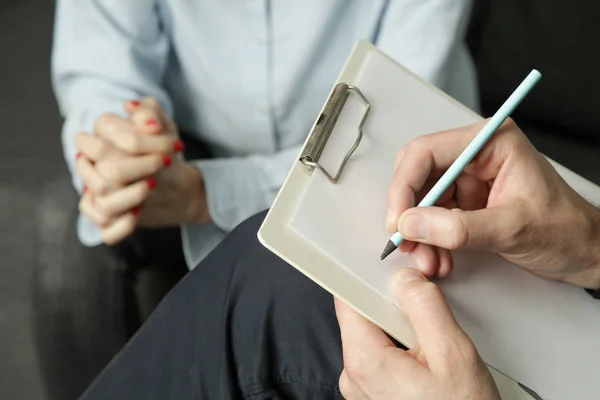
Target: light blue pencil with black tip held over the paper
(471, 151)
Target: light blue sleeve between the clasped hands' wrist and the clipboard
(237, 188)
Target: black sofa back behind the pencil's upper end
(560, 38)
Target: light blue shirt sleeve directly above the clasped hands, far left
(105, 52)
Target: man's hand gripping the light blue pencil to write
(509, 200)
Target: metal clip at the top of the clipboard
(325, 124)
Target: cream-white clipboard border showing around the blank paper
(278, 237)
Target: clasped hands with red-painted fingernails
(135, 175)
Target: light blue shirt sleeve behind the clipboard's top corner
(428, 37)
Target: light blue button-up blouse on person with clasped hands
(247, 76)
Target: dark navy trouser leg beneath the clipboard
(242, 325)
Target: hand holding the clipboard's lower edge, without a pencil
(445, 364)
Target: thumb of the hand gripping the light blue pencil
(486, 229)
